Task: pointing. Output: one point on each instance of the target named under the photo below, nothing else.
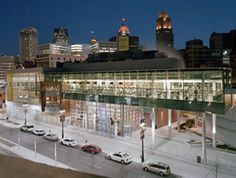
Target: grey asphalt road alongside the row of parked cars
(76, 158)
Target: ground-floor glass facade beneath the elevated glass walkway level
(101, 117)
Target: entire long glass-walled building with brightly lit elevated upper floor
(115, 100)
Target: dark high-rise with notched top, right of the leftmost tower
(60, 36)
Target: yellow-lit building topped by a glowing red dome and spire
(124, 41)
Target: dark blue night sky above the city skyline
(190, 18)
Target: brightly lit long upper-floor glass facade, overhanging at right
(201, 88)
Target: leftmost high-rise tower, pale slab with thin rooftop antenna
(28, 45)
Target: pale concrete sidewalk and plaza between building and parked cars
(174, 151)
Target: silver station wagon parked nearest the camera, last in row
(158, 168)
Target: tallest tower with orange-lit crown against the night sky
(164, 33)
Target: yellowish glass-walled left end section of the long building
(23, 90)
